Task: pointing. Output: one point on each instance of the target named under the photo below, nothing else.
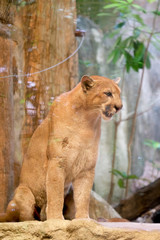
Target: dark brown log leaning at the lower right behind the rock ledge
(144, 199)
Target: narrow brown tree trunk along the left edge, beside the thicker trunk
(6, 107)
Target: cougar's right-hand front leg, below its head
(82, 188)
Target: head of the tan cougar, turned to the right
(102, 95)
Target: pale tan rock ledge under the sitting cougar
(77, 230)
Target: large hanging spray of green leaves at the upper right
(130, 43)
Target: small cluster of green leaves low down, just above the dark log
(122, 177)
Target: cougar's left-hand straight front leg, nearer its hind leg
(55, 189)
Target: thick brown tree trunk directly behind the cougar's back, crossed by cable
(49, 37)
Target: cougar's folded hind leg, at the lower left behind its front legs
(25, 201)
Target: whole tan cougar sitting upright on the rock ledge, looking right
(63, 150)
